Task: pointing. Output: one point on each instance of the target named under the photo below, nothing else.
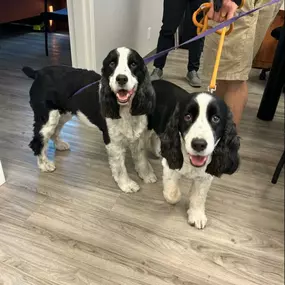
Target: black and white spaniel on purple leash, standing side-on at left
(118, 105)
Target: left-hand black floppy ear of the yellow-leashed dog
(171, 143)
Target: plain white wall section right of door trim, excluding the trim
(126, 23)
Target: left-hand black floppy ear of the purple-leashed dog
(108, 101)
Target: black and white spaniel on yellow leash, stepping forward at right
(197, 138)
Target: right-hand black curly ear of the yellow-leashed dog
(225, 158)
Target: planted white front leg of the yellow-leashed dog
(196, 212)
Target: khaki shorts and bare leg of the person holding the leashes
(239, 50)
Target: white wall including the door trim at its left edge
(97, 26)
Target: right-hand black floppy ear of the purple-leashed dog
(144, 100)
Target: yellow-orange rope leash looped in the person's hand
(202, 26)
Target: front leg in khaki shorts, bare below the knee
(235, 64)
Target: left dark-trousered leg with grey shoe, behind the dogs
(172, 14)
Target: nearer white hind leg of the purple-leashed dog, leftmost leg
(46, 132)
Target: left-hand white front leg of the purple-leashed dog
(116, 153)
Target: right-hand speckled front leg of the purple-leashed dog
(142, 165)
